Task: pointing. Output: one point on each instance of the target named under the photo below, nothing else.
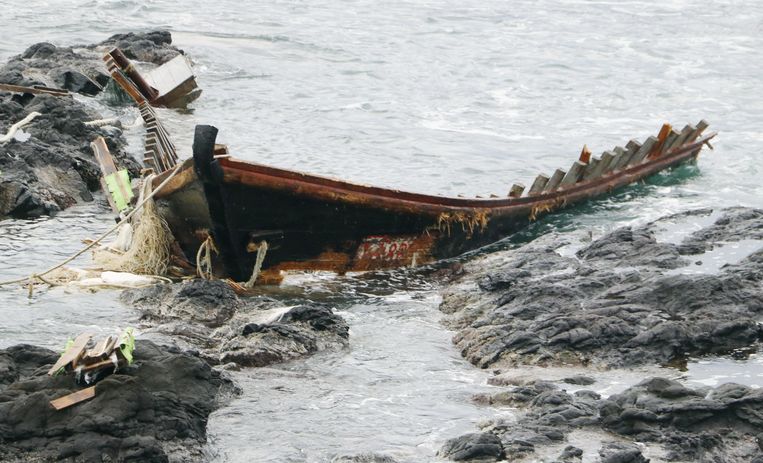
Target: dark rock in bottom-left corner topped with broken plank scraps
(154, 410)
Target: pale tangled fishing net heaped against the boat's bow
(143, 244)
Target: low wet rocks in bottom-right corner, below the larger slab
(709, 424)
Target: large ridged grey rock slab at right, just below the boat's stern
(624, 299)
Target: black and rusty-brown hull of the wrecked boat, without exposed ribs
(315, 223)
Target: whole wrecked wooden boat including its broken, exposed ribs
(243, 210)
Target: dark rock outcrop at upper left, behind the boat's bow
(49, 165)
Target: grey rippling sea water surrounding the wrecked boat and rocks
(434, 96)
